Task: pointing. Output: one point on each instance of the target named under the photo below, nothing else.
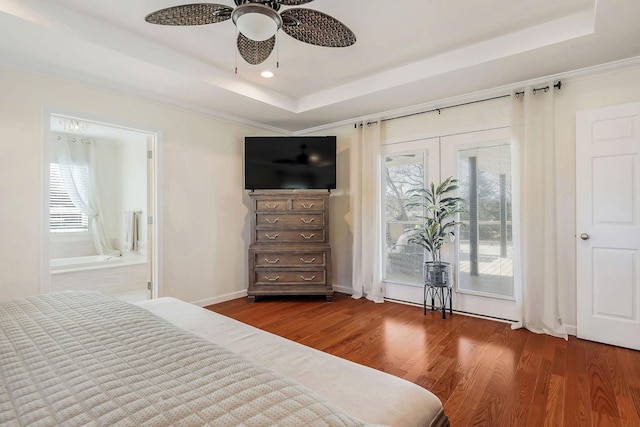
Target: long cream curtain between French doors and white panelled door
(536, 210)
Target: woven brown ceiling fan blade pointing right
(313, 27)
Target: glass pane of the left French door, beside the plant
(402, 173)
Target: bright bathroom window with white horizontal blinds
(64, 216)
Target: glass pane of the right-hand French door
(486, 239)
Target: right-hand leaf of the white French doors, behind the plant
(483, 252)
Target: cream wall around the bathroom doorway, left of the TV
(205, 226)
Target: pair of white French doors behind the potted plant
(483, 251)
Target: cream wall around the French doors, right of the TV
(576, 95)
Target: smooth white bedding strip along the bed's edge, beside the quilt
(363, 392)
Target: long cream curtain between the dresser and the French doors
(365, 200)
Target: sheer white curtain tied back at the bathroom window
(76, 160)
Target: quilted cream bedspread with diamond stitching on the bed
(84, 359)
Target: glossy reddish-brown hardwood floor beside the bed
(484, 373)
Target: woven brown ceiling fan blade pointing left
(190, 14)
